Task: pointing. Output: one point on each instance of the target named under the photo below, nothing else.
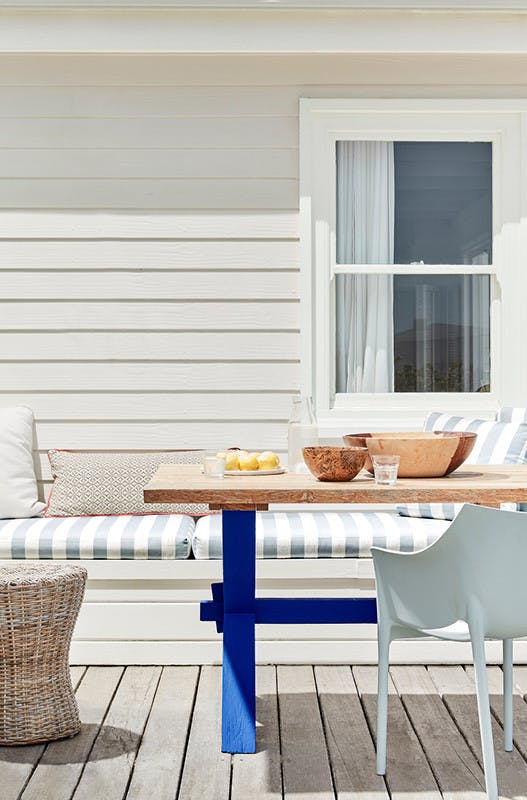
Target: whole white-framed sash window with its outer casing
(411, 216)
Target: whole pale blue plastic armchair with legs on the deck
(469, 585)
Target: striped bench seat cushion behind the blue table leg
(319, 534)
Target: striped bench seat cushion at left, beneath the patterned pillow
(153, 536)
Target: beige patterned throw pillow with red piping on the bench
(89, 484)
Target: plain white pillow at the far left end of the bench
(18, 484)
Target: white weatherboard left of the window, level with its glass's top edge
(138, 131)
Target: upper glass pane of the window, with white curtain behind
(414, 202)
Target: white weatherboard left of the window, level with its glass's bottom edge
(149, 376)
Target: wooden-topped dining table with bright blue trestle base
(235, 608)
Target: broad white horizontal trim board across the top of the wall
(165, 29)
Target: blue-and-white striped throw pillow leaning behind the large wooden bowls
(497, 443)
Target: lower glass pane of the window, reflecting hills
(412, 333)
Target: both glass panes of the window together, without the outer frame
(420, 204)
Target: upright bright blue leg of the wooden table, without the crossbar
(238, 691)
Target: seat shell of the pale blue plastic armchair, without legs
(476, 572)
